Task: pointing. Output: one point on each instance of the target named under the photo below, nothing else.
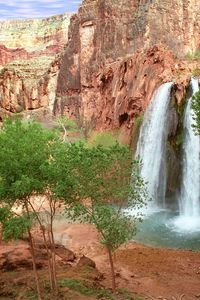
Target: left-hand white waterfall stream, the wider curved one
(151, 147)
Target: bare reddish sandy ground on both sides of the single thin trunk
(151, 272)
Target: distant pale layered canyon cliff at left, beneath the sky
(30, 60)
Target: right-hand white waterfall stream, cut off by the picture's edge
(189, 200)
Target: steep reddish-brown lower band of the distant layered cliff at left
(24, 87)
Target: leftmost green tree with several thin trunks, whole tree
(25, 152)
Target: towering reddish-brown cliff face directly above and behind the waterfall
(119, 52)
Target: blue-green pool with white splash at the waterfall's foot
(162, 229)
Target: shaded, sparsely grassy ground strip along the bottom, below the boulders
(69, 288)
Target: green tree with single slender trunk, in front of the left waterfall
(105, 182)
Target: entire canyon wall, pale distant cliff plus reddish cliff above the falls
(116, 53)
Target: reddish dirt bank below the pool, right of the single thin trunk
(161, 272)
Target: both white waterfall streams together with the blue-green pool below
(163, 227)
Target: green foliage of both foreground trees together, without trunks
(96, 184)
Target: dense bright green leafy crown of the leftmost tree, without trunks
(24, 149)
